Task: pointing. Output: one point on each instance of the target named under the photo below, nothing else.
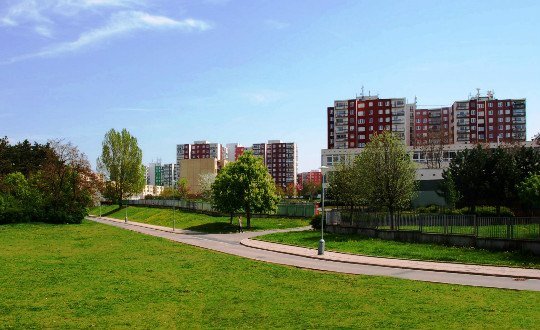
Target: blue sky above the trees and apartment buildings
(248, 71)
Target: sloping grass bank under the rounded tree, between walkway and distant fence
(197, 221)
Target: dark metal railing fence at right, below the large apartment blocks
(527, 228)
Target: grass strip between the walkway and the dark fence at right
(377, 247)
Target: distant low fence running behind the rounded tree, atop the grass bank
(291, 210)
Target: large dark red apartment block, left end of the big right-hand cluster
(352, 122)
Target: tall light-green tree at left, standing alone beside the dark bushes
(121, 163)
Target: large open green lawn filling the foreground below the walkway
(93, 275)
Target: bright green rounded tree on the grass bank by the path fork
(248, 185)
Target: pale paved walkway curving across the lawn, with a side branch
(239, 244)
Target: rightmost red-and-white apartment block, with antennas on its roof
(484, 119)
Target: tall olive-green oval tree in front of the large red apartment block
(387, 173)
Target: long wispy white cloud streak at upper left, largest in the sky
(119, 24)
